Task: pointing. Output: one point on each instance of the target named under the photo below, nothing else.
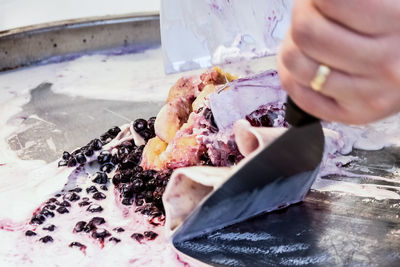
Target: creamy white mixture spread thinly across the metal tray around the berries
(24, 184)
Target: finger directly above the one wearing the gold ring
(330, 43)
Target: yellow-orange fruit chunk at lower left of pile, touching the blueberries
(151, 154)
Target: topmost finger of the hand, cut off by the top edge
(369, 17)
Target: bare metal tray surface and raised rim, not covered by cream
(327, 229)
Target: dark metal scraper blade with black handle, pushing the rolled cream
(278, 176)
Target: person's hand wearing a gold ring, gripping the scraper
(359, 40)
